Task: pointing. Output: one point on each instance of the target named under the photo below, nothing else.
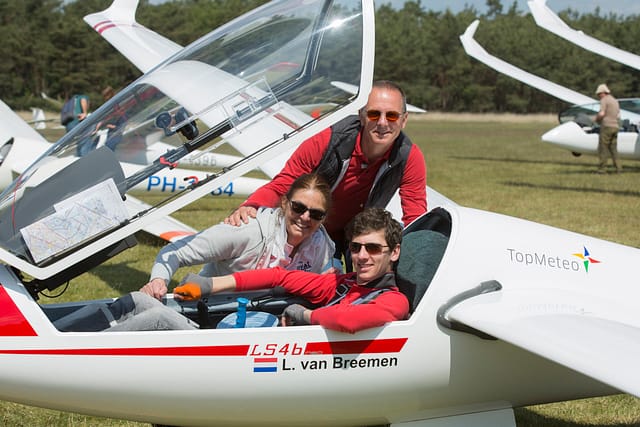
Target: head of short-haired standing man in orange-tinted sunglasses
(378, 131)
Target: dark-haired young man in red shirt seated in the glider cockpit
(366, 298)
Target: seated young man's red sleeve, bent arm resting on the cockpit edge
(386, 307)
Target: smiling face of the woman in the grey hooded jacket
(301, 225)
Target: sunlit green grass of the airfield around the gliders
(494, 164)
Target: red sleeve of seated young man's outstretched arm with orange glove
(316, 288)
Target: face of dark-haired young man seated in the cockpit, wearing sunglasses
(370, 266)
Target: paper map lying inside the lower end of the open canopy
(76, 219)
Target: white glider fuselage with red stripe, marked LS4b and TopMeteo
(413, 368)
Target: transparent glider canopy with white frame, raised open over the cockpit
(262, 83)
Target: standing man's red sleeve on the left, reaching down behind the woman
(304, 160)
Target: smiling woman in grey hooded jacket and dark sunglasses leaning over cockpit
(291, 236)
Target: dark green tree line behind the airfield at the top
(47, 47)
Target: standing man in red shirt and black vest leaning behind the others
(365, 159)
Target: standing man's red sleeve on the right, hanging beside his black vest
(413, 191)
